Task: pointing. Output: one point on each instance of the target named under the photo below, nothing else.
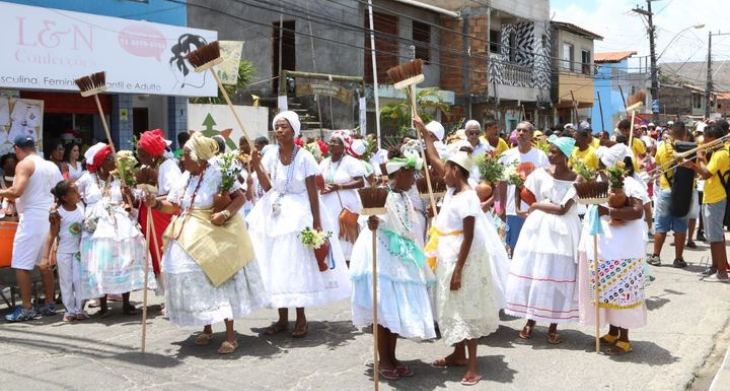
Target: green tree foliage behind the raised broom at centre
(397, 115)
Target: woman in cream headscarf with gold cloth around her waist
(210, 271)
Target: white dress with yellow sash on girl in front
(472, 311)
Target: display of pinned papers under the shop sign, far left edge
(20, 117)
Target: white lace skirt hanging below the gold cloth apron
(192, 301)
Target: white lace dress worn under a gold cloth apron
(191, 300)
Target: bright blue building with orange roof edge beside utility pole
(613, 75)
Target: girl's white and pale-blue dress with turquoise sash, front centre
(404, 304)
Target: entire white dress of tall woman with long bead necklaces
(288, 268)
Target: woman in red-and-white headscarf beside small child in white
(112, 246)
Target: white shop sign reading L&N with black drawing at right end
(45, 48)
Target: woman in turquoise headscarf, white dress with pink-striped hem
(541, 281)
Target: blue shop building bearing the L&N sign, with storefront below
(129, 39)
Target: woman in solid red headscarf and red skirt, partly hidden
(164, 174)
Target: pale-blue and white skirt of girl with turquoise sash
(404, 303)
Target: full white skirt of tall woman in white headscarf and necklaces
(288, 268)
